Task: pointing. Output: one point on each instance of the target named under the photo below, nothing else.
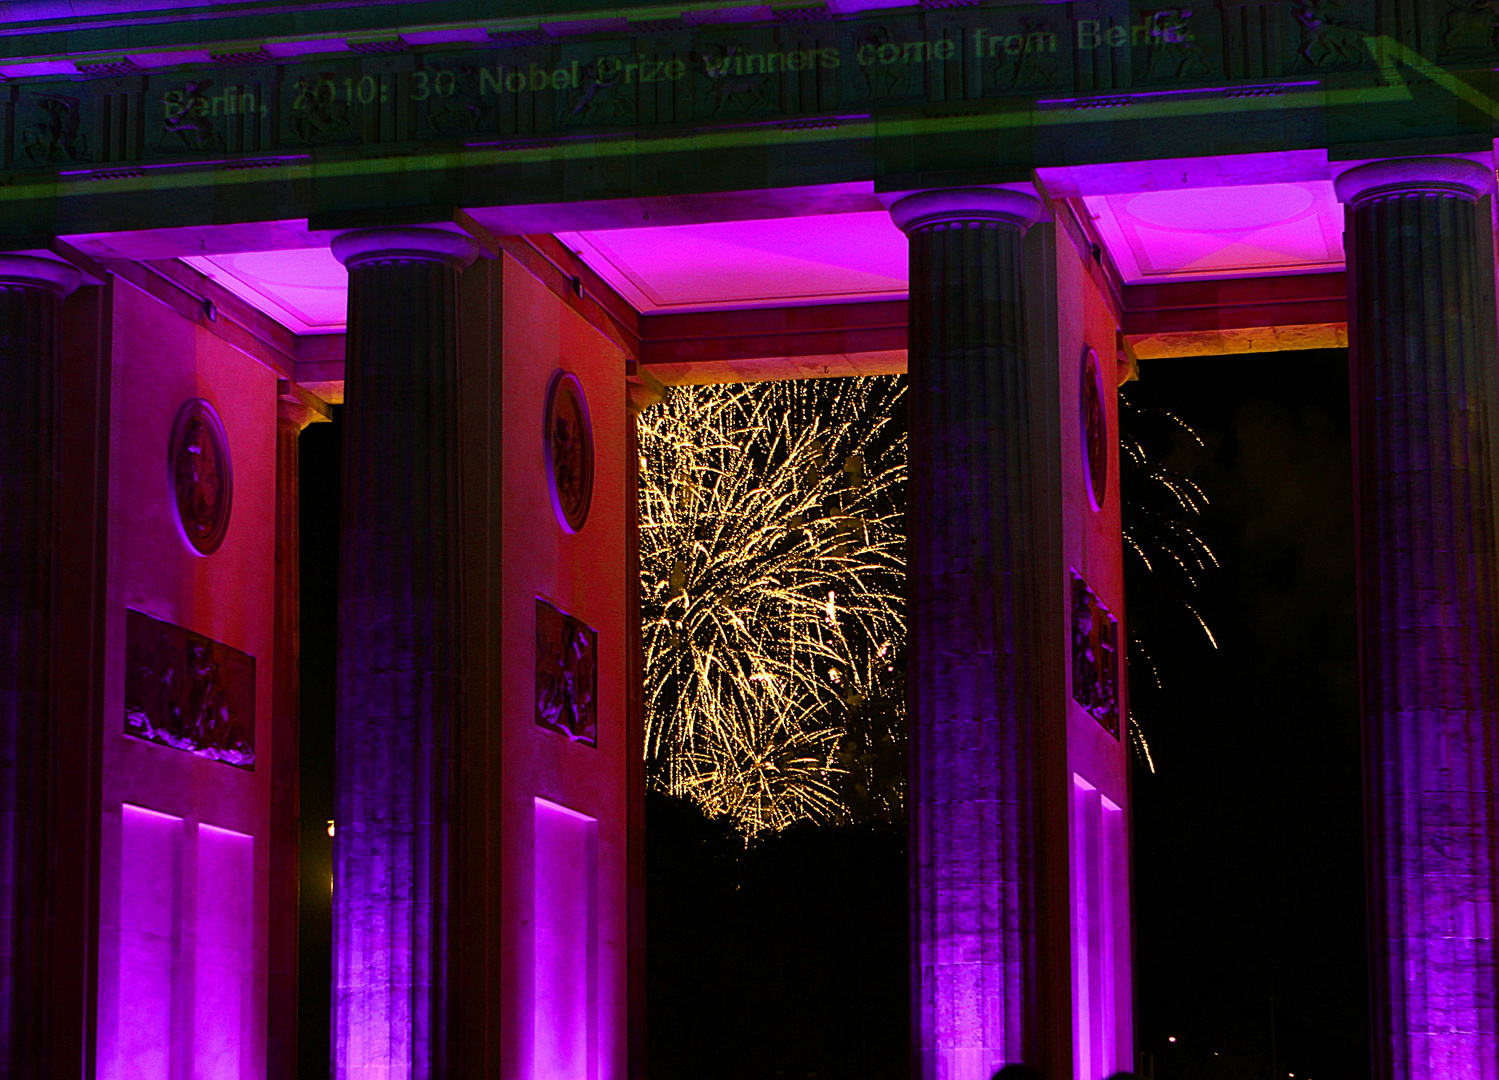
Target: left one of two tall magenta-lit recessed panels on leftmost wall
(151, 937)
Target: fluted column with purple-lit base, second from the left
(398, 683)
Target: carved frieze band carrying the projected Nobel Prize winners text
(789, 71)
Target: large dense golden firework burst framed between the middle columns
(773, 587)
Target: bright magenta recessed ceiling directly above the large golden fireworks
(762, 263)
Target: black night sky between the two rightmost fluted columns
(1249, 838)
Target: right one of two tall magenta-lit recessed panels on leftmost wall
(224, 953)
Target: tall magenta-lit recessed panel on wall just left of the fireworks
(566, 965)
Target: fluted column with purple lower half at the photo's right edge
(1422, 322)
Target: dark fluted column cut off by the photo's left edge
(32, 295)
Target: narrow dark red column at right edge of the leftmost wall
(295, 412)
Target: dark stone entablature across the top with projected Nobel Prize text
(155, 113)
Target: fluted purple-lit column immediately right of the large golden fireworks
(974, 580)
